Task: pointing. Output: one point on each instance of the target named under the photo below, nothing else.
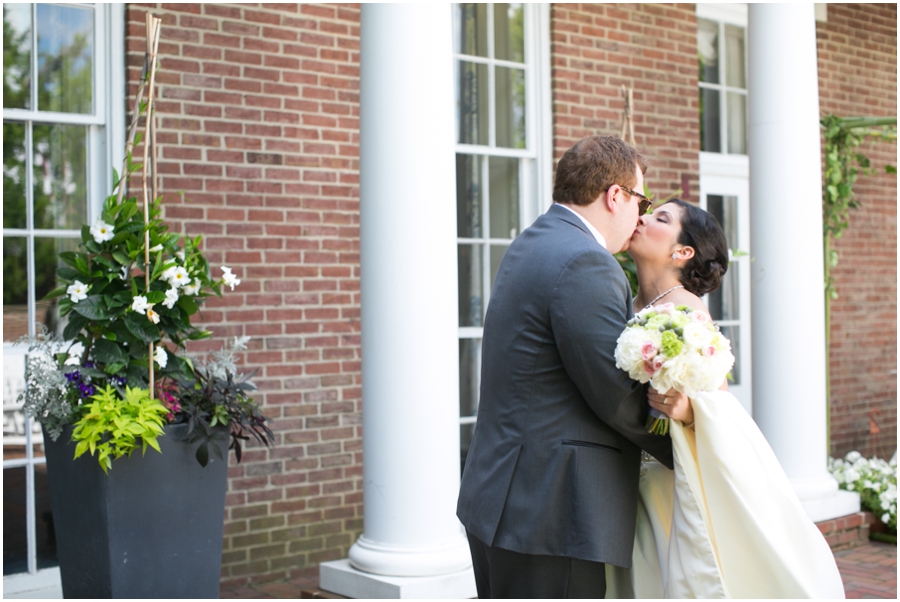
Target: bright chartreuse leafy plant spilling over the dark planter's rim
(112, 426)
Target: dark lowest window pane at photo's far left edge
(15, 544)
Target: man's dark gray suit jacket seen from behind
(554, 463)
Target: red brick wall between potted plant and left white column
(259, 127)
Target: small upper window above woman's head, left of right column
(721, 59)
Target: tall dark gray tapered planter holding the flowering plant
(151, 528)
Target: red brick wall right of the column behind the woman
(858, 77)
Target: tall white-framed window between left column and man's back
(501, 54)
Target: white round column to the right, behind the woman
(786, 237)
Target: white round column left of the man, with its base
(413, 544)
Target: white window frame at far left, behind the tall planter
(106, 149)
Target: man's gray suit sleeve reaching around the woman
(588, 313)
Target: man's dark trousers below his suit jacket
(503, 573)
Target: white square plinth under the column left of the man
(340, 578)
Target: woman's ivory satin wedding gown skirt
(725, 523)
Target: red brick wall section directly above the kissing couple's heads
(596, 49)
